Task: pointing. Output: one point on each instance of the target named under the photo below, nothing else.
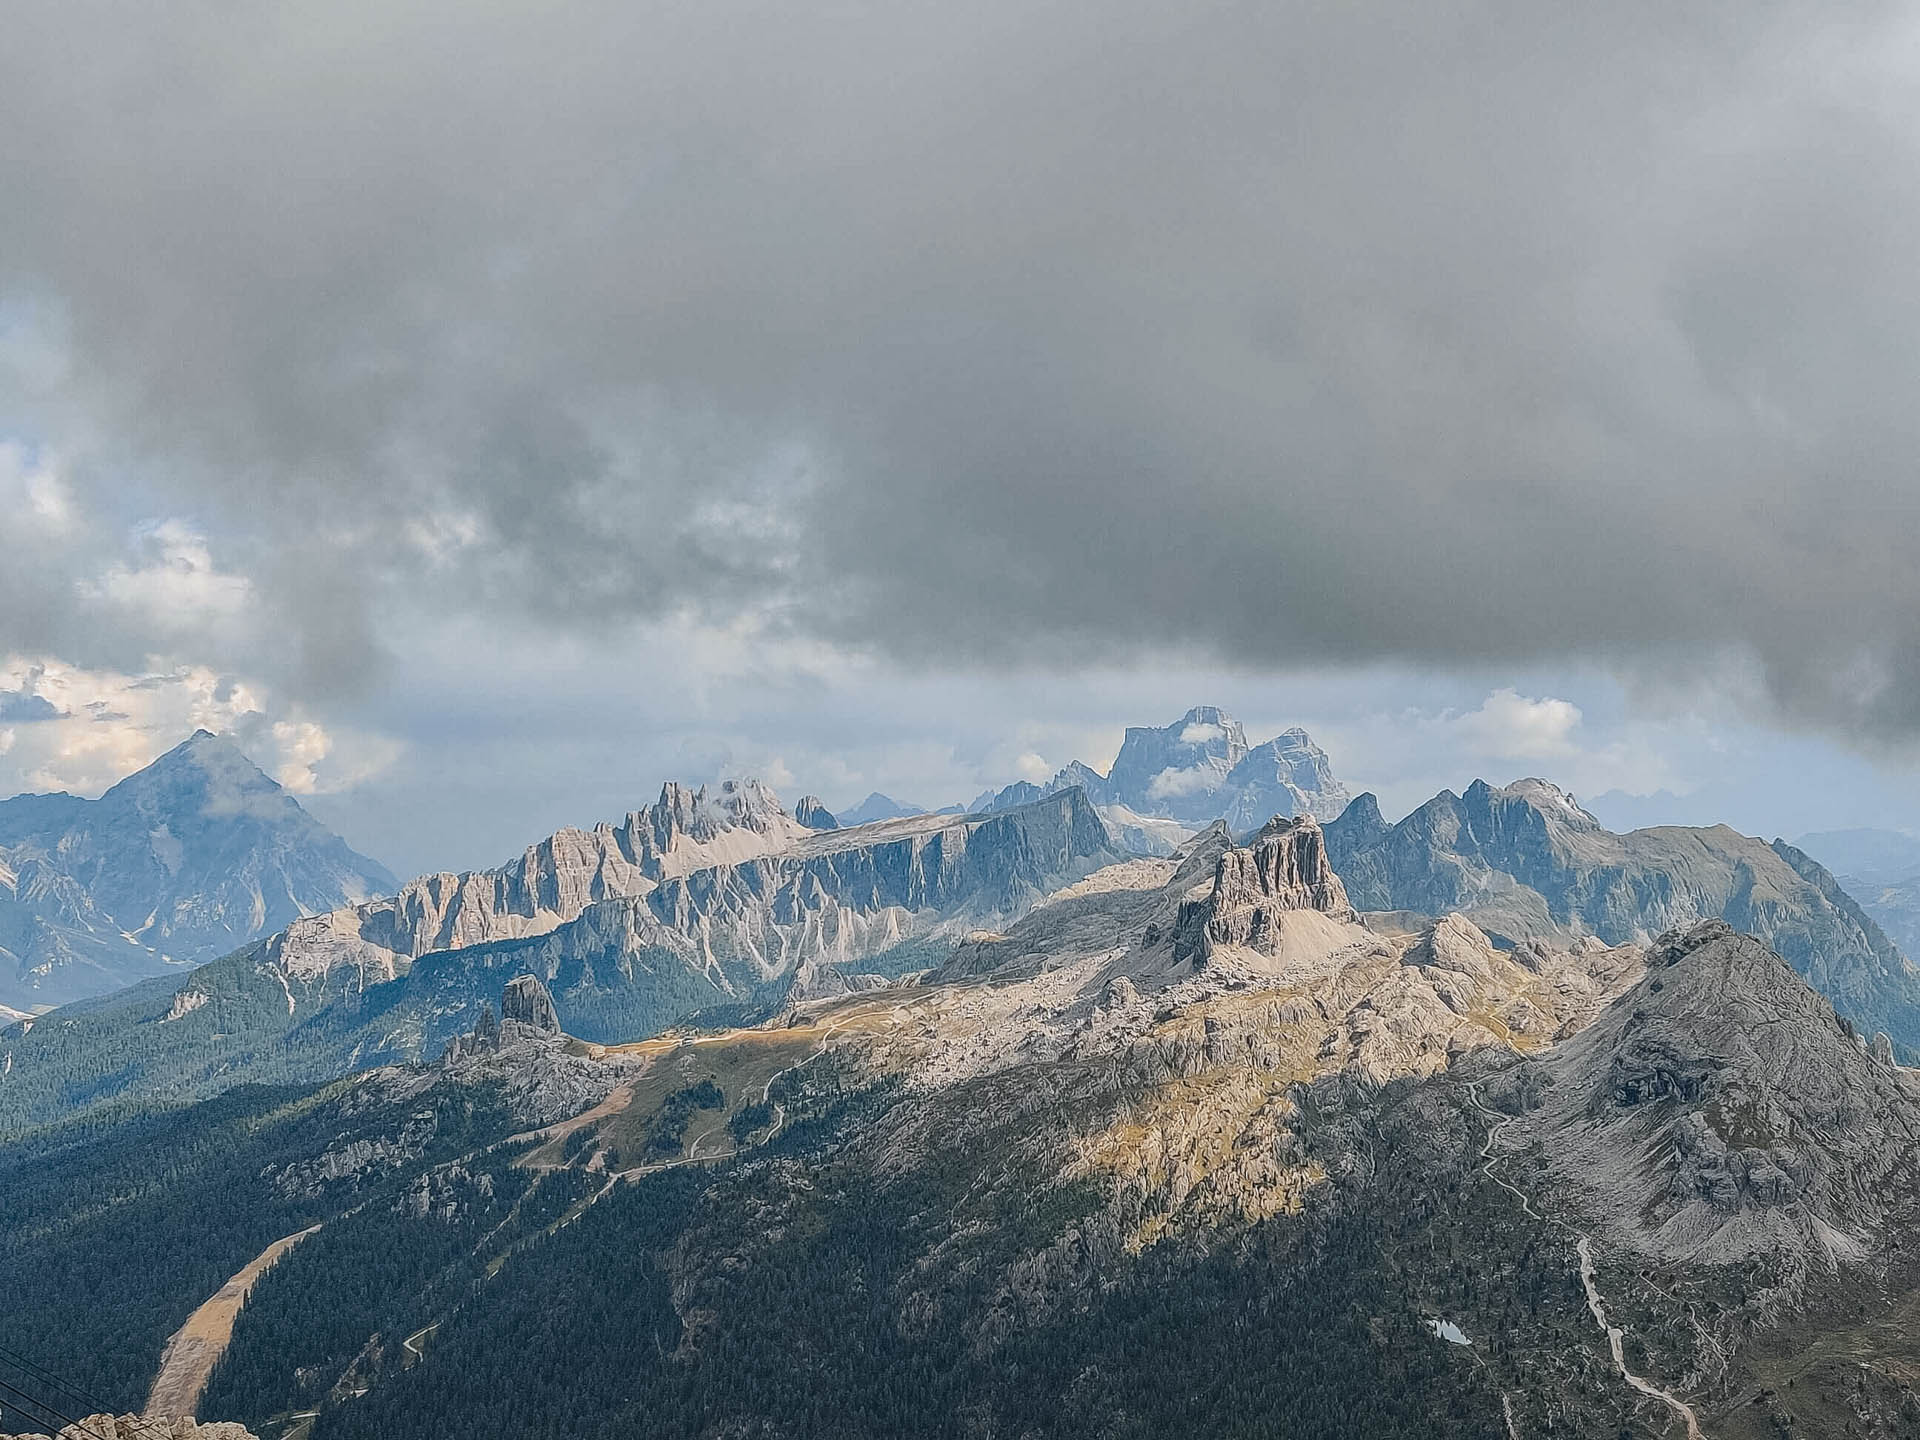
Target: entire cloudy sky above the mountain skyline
(487, 412)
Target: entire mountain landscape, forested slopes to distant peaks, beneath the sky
(1483, 1122)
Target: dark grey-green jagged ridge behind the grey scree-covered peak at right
(1527, 861)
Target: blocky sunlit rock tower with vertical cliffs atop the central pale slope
(1285, 869)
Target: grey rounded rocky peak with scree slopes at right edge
(1725, 1107)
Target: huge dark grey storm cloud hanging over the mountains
(1299, 333)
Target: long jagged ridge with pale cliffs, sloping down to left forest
(633, 928)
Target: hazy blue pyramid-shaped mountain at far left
(176, 865)
